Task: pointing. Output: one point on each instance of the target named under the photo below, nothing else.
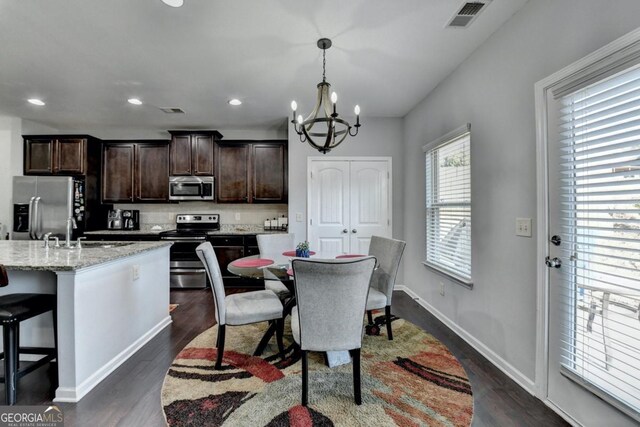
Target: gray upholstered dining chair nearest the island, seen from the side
(239, 309)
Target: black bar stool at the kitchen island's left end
(15, 308)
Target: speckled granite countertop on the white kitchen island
(31, 255)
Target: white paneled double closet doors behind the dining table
(349, 200)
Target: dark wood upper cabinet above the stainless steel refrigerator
(58, 155)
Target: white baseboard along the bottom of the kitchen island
(74, 394)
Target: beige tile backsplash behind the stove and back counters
(152, 214)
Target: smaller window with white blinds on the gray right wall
(448, 206)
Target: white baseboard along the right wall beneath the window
(513, 373)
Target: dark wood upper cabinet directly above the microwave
(192, 152)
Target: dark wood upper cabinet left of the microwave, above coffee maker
(135, 172)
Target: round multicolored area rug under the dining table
(410, 381)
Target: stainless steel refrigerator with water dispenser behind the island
(43, 204)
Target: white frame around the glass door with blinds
(621, 52)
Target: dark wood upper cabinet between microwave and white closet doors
(251, 172)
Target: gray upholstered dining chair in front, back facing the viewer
(331, 298)
